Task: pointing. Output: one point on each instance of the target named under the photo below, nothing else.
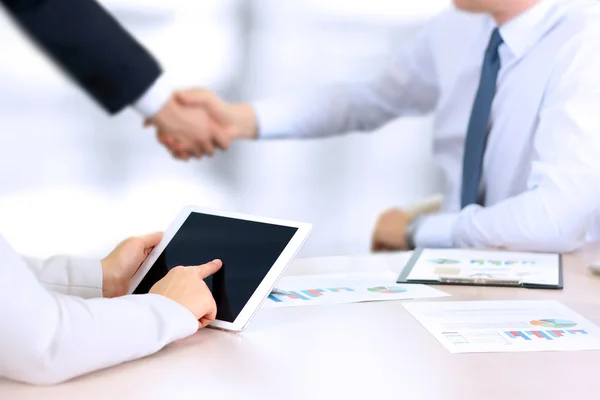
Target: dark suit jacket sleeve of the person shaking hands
(91, 46)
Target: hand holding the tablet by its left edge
(122, 263)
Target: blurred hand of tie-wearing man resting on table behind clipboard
(390, 231)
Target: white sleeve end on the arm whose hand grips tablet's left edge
(69, 275)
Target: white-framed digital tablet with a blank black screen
(255, 252)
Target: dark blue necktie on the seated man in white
(479, 123)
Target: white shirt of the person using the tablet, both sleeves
(54, 326)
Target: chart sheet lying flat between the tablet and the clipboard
(338, 288)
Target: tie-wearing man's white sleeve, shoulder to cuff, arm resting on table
(563, 195)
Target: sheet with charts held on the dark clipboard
(533, 268)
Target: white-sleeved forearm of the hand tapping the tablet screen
(44, 346)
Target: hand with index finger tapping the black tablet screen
(185, 285)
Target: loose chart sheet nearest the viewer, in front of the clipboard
(506, 326)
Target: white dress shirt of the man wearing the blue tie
(541, 171)
